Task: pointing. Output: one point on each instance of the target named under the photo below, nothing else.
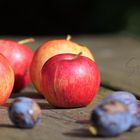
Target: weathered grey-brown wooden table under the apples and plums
(118, 60)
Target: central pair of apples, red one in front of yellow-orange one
(65, 73)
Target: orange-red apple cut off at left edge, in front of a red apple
(6, 79)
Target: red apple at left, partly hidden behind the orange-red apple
(20, 57)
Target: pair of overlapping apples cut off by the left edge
(15, 60)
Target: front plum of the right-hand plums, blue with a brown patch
(111, 118)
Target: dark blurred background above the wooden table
(69, 17)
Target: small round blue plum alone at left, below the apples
(24, 112)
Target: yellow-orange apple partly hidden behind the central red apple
(49, 49)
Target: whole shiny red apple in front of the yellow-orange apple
(70, 80)
